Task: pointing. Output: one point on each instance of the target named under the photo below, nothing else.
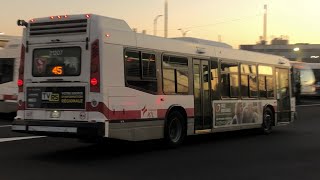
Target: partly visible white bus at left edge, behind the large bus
(10, 47)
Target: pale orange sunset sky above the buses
(235, 21)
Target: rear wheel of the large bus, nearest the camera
(175, 130)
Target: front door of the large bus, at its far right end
(283, 95)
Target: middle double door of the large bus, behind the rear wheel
(202, 101)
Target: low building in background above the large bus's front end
(303, 52)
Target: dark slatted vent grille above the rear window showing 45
(59, 27)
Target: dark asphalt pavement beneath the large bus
(290, 152)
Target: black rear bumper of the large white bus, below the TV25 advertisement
(60, 128)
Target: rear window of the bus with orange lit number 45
(51, 62)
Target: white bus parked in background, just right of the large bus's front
(303, 71)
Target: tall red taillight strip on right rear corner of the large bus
(95, 67)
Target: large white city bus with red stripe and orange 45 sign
(92, 76)
